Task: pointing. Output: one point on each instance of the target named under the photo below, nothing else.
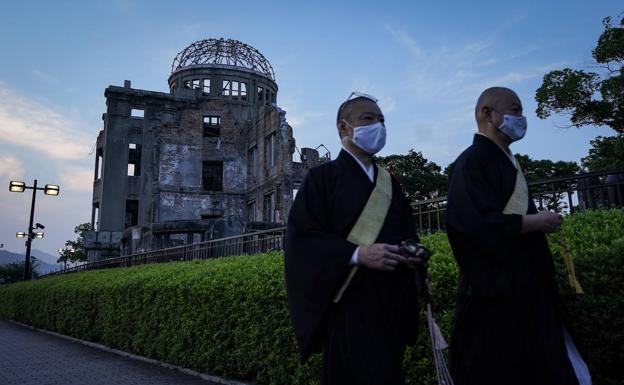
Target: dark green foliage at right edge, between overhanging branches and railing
(607, 153)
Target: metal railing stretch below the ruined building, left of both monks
(250, 243)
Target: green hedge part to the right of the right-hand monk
(596, 240)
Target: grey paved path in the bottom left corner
(31, 357)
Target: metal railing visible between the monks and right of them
(577, 192)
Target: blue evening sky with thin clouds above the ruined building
(427, 62)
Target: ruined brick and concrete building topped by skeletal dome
(210, 159)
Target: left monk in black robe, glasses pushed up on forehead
(356, 302)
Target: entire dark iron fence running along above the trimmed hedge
(564, 194)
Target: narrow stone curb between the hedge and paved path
(135, 357)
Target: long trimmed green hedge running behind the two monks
(228, 316)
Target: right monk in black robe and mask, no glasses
(509, 326)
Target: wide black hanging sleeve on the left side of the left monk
(316, 260)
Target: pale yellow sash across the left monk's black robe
(368, 225)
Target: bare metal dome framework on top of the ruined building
(223, 52)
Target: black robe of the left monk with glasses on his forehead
(363, 336)
